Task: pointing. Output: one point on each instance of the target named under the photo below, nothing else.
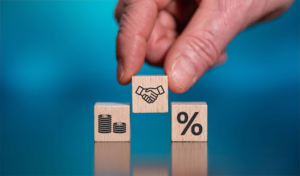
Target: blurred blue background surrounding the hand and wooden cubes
(58, 59)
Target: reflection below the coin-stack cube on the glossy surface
(112, 158)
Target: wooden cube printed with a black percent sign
(189, 121)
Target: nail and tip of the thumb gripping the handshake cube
(183, 73)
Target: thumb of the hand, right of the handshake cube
(203, 42)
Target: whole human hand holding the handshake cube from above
(186, 37)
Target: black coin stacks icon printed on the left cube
(104, 125)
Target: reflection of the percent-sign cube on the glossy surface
(189, 158)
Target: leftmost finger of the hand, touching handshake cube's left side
(136, 24)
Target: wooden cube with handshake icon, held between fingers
(149, 94)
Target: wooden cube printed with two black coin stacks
(112, 122)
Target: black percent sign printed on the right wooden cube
(184, 114)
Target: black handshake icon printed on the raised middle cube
(150, 94)
